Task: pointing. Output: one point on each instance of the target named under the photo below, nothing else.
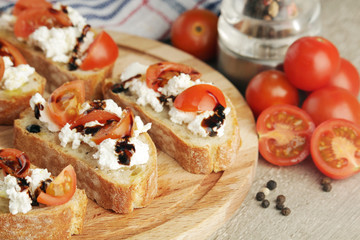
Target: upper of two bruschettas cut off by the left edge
(18, 82)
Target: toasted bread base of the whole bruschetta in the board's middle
(119, 190)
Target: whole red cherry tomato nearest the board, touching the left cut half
(269, 88)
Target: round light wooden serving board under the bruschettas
(188, 206)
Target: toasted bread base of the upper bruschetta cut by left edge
(15, 101)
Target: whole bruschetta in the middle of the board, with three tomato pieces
(112, 154)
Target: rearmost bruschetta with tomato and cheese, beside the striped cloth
(57, 41)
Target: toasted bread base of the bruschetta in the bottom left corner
(47, 222)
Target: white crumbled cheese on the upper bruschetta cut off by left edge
(15, 77)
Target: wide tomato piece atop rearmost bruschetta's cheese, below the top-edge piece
(31, 19)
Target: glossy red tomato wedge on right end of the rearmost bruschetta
(101, 53)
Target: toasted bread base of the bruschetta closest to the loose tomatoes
(194, 153)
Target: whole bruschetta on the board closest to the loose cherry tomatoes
(192, 121)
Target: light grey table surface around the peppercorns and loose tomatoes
(315, 214)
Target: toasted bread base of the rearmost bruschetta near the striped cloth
(57, 73)
